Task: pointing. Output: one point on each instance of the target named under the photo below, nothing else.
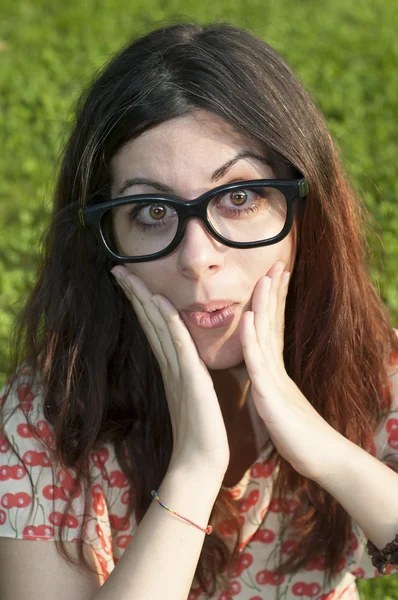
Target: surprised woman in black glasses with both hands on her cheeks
(204, 339)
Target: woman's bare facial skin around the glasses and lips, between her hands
(185, 154)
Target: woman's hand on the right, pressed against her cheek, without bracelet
(296, 429)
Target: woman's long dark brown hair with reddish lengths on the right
(100, 378)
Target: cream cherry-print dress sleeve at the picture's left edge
(26, 512)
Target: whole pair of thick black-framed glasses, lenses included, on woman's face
(243, 214)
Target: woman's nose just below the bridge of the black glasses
(199, 254)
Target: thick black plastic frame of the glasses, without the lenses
(292, 189)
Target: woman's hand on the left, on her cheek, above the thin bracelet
(199, 434)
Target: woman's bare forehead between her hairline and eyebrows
(194, 146)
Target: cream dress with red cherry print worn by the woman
(109, 495)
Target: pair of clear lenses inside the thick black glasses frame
(142, 227)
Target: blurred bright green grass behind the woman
(346, 54)
